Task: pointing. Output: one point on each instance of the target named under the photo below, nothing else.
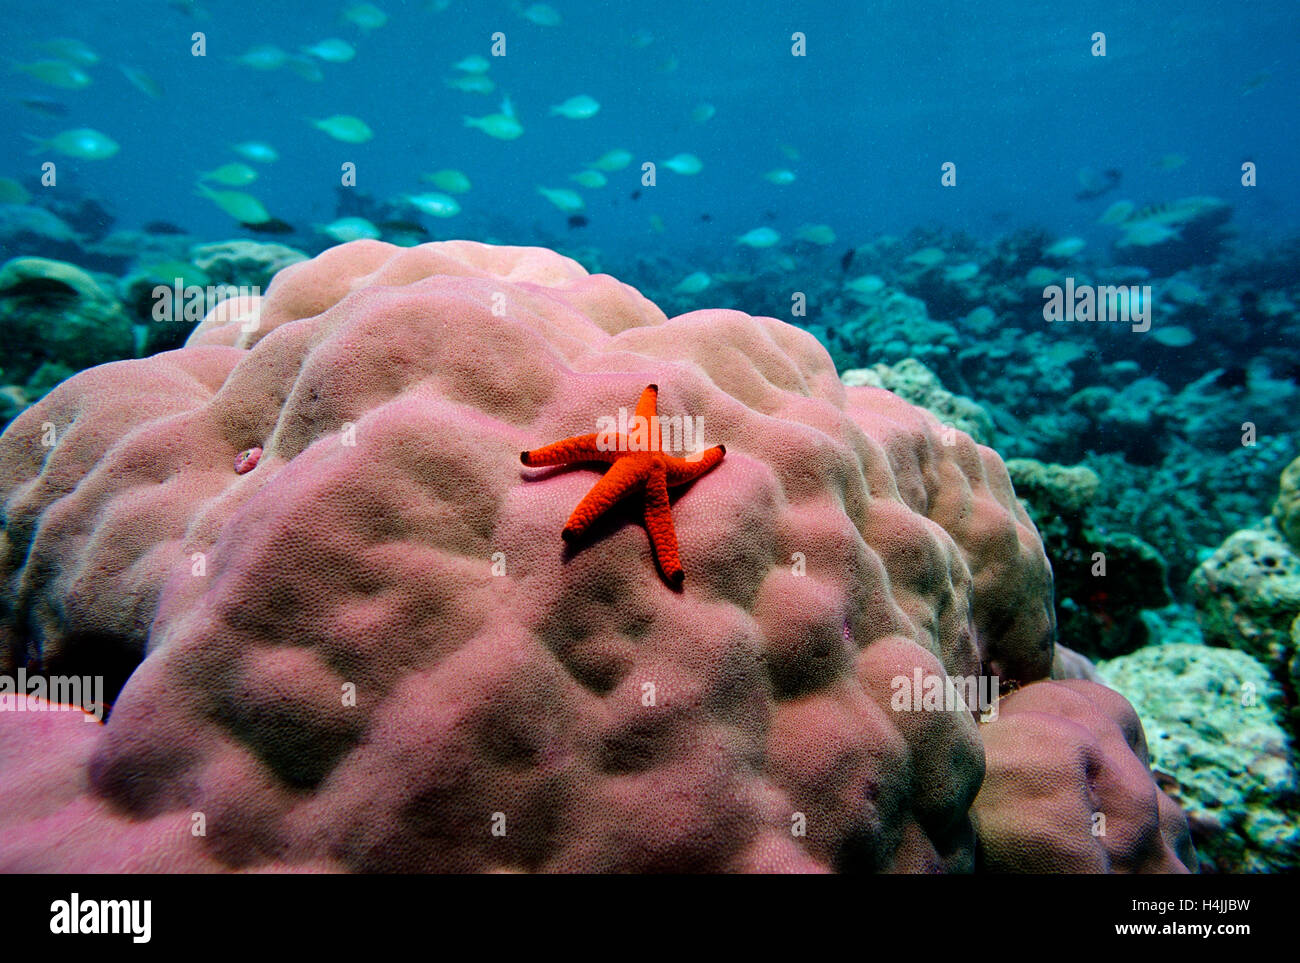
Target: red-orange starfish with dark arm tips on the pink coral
(635, 463)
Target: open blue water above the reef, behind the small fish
(1008, 92)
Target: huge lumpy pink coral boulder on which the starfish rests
(370, 649)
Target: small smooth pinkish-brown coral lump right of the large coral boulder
(1069, 788)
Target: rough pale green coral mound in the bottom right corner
(1216, 725)
